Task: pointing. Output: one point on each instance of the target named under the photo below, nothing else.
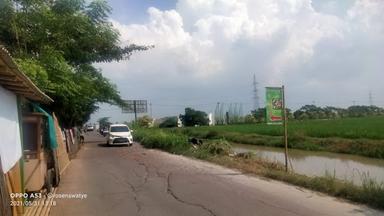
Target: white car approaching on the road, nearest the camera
(119, 134)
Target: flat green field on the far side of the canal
(360, 136)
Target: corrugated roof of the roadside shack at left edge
(14, 80)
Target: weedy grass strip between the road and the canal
(219, 151)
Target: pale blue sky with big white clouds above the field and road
(325, 52)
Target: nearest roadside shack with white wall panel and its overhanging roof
(15, 87)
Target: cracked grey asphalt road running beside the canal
(137, 181)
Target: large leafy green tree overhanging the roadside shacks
(56, 43)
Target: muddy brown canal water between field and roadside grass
(342, 166)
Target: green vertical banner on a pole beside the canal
(274, 105)
